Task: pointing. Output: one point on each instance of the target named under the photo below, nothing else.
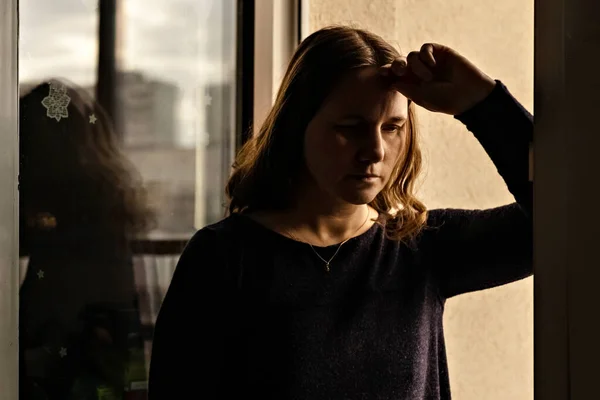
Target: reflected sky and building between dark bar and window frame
(176, 90)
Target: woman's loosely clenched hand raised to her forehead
(439, 79)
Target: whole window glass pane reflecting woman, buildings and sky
(111, 192)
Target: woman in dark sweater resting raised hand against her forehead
(329, 278)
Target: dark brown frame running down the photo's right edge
(566, 260)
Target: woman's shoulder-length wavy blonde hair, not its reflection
(268, 164)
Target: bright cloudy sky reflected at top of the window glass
(181, 42)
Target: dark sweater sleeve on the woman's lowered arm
(187, 350)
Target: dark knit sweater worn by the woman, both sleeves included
(251, 314)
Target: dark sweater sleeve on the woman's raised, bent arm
(480, 249)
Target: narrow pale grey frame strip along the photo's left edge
(9, 234)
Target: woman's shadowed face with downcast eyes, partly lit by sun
(353, 143)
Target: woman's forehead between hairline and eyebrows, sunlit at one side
(364, 92)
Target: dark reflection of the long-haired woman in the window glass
(80, 202)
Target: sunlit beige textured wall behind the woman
(489, 334)
